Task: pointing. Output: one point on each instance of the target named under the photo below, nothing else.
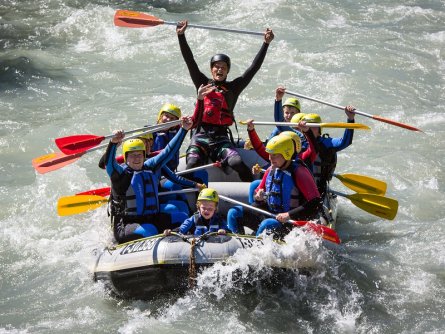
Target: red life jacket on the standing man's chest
(216, 111)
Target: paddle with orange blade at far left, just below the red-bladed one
(53, 161)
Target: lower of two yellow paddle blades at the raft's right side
(376, 205)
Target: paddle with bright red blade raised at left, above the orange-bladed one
(80, 143)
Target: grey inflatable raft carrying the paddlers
(148, 267)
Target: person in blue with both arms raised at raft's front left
(134, 187)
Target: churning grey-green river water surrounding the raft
(65, 69)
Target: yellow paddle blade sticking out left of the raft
(72, 205)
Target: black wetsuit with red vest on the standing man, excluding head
(210, 139)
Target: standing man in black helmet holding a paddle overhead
(211, 137)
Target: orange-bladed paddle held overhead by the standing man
(132, 19)
